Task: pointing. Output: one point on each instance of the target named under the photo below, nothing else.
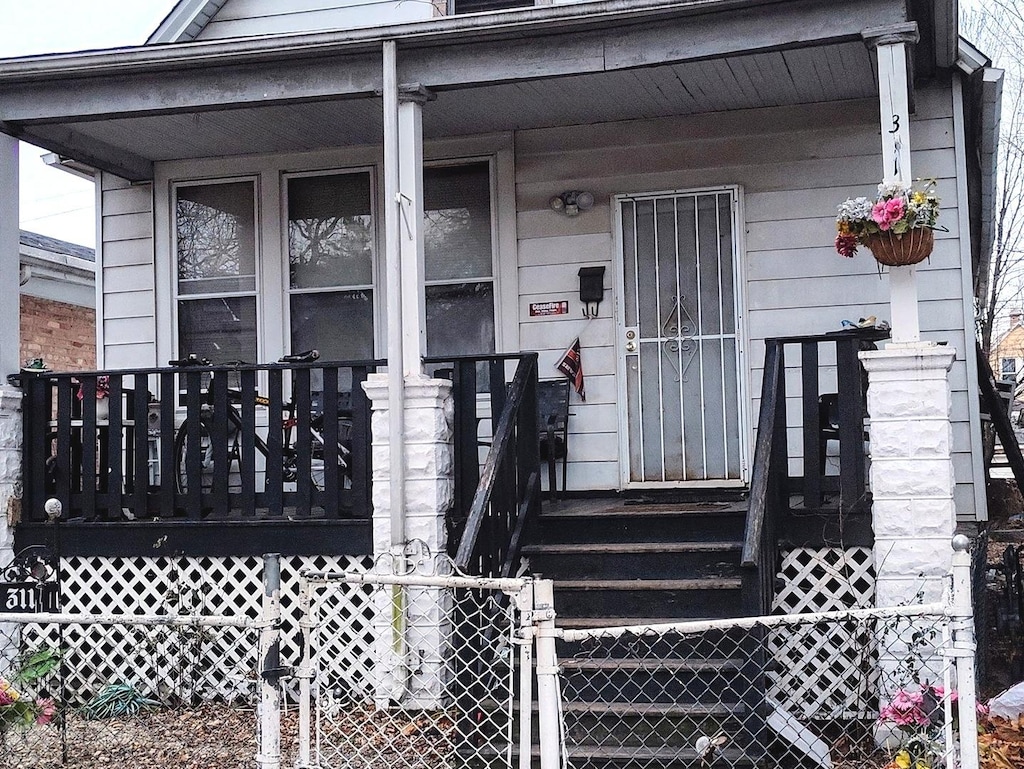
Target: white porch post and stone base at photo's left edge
(11, 398)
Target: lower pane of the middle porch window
(340, 325)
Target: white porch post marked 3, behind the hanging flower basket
(892, 49)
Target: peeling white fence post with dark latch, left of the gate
(270, 664)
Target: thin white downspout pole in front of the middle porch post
(393, 260)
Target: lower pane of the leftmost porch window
(222, 330)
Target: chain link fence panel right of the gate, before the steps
(854, 692)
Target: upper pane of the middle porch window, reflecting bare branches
(330, 231)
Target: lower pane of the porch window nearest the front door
(461, 319)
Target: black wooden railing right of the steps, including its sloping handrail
(822, 418)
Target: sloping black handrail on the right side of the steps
(760, 537)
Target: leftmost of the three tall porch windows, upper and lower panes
(216, 246)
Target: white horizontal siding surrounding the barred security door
(795, 165)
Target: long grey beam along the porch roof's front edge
(450, 58)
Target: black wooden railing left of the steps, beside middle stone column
(496, 503)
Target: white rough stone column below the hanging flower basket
(914, 519)
